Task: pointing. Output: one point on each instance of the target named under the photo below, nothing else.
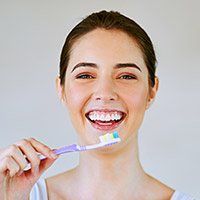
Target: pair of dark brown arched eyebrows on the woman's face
(117, 66)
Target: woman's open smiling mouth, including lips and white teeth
(105, 121)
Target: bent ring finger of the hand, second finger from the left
(17, 155)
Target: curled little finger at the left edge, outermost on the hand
(8, 163)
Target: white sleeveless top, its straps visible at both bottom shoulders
(39, 192)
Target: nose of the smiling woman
(105, 91)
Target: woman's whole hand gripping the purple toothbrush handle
(15, 183)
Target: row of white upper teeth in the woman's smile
(105, 116)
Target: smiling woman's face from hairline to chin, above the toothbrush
(106, 85)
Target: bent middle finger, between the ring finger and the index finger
(30, 153)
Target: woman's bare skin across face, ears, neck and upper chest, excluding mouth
(113, 172)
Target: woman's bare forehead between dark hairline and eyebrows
(102, 45)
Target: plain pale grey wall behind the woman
(31, 37)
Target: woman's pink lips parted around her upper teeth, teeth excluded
(106, 125)
